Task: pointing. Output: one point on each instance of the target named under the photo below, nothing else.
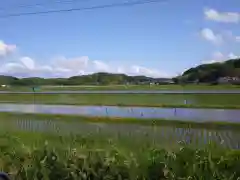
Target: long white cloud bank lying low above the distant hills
(64, 67)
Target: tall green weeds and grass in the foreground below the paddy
(37, 156)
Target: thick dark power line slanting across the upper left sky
(84, 8)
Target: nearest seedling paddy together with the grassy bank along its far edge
(165, 132)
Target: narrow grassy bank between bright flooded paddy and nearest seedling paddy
(148, 122)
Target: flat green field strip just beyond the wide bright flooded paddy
(151, 100)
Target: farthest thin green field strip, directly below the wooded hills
(129, 87)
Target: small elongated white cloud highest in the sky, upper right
(225, 17)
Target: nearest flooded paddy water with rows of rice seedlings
(158, 134)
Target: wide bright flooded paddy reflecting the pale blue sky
(187, 114)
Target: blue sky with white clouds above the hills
(160, 39)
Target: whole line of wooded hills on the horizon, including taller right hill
(205, 73)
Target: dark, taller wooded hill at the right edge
(212, 72)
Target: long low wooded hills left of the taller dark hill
(92, 79)
